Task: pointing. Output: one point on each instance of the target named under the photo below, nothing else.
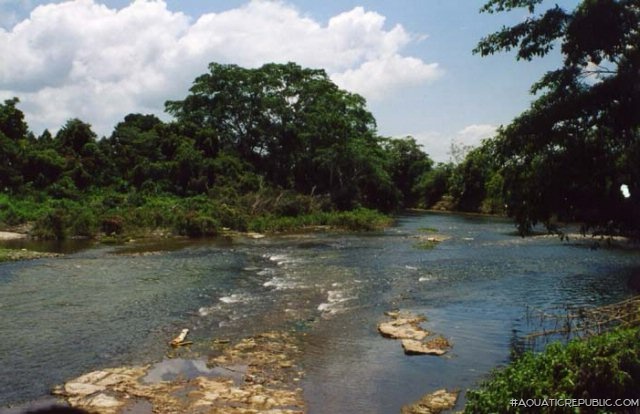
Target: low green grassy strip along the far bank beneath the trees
(119, 217)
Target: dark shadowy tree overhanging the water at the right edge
(568, 155)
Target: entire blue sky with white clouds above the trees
(99, 60)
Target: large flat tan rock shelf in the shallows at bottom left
(268, 357)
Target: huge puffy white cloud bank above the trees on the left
(83, 59)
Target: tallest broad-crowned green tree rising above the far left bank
(292, 125)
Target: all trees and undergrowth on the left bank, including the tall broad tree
(274, 148)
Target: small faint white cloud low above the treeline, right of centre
(438, 145)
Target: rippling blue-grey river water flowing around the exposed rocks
(111, 306)
